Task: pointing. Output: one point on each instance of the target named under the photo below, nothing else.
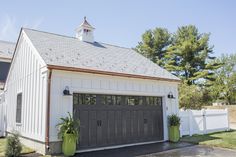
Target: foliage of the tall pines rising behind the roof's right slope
(186, 53)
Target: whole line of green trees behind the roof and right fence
(187, 54)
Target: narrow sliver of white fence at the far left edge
(2, 115)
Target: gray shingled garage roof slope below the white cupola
(70, 52)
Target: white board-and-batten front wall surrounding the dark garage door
(103, 84)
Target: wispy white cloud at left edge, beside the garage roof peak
(9, 27)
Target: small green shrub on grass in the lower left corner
(13, 146)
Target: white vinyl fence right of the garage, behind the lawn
(203, 121)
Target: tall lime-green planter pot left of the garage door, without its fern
(69, 144)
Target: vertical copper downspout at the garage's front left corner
(48, 110)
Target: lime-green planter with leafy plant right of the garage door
(174, 123)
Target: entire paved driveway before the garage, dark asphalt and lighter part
(181, 149)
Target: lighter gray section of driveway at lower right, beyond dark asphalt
(195, 151)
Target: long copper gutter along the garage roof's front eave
(92, 71)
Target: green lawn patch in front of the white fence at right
(220, 139)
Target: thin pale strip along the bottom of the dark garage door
(117, 146)
